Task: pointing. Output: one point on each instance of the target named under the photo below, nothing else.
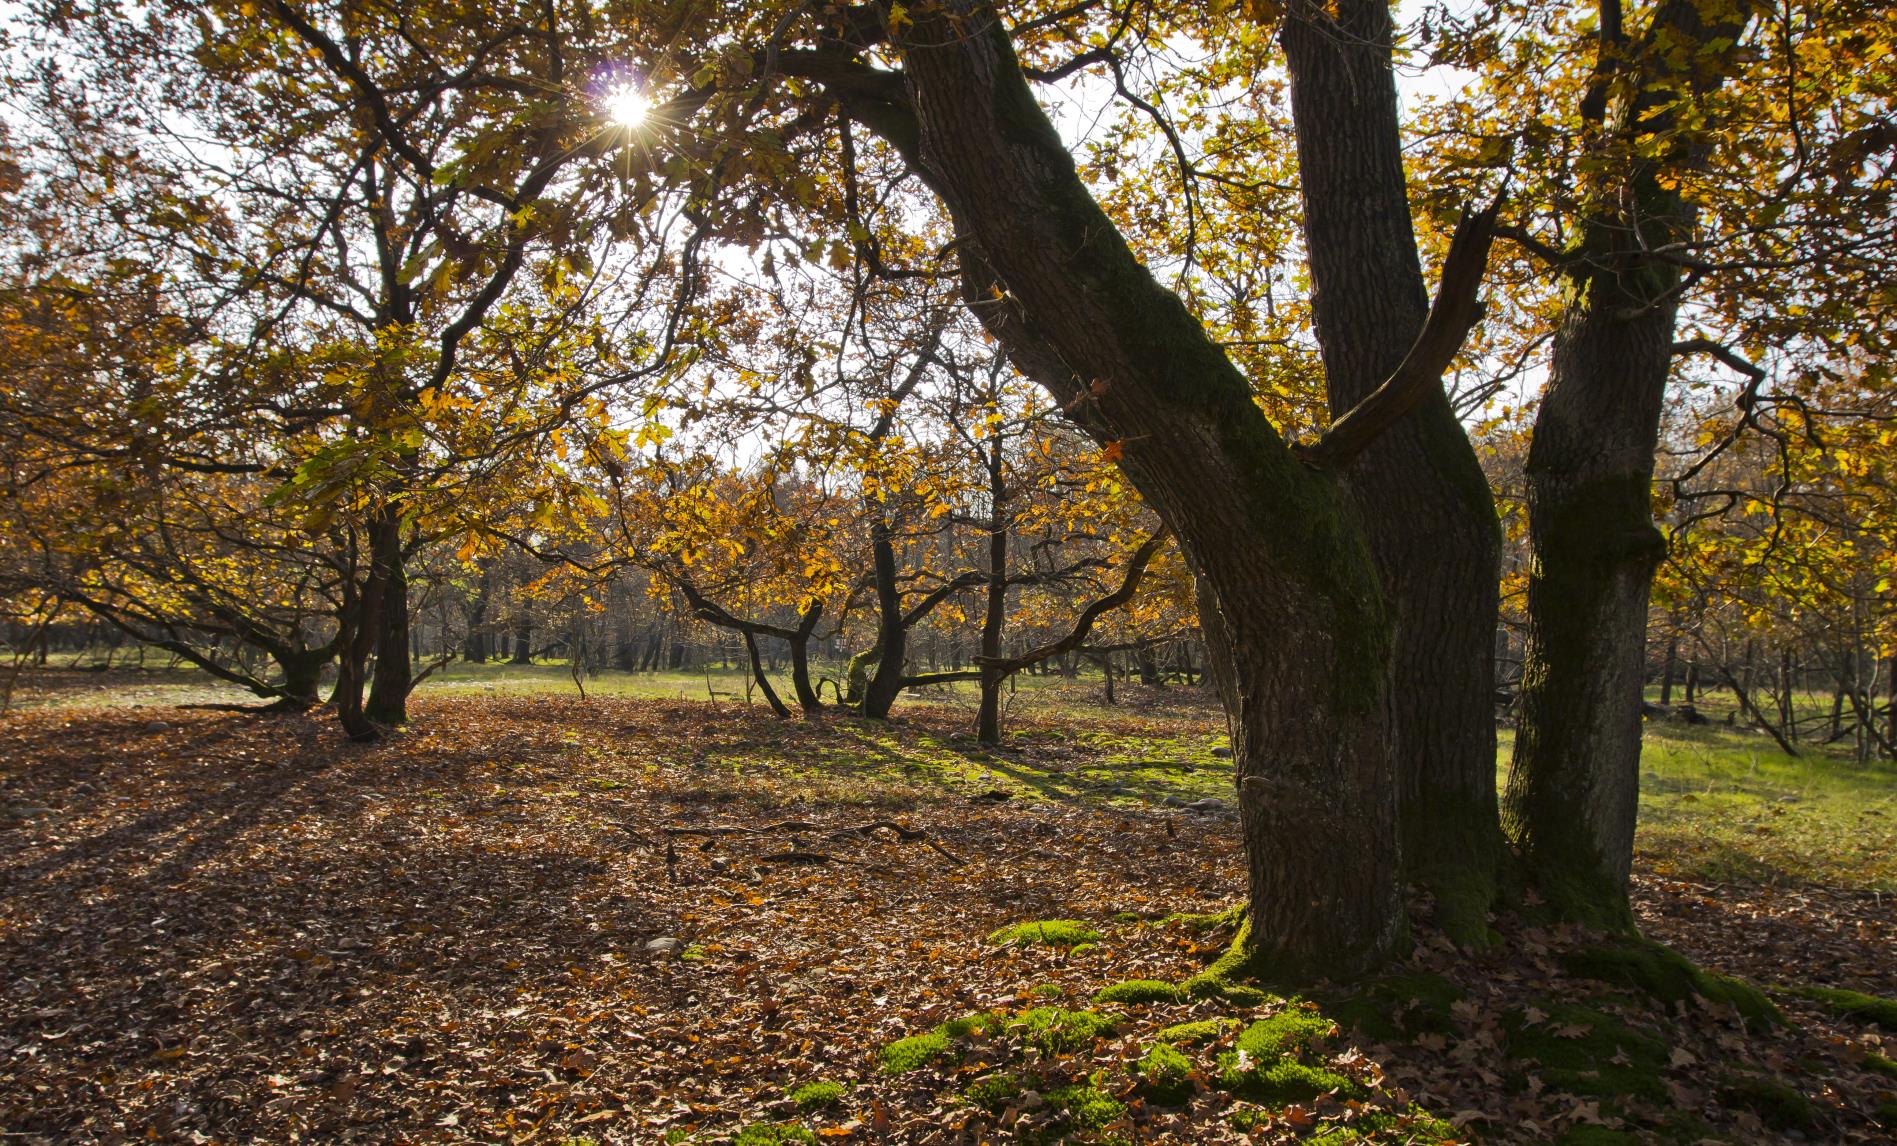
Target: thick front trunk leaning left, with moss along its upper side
(1291, 578)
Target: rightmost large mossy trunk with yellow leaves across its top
(1572, 794)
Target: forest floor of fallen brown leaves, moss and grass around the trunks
(219, 927)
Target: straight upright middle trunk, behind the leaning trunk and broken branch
(1420, 487)
